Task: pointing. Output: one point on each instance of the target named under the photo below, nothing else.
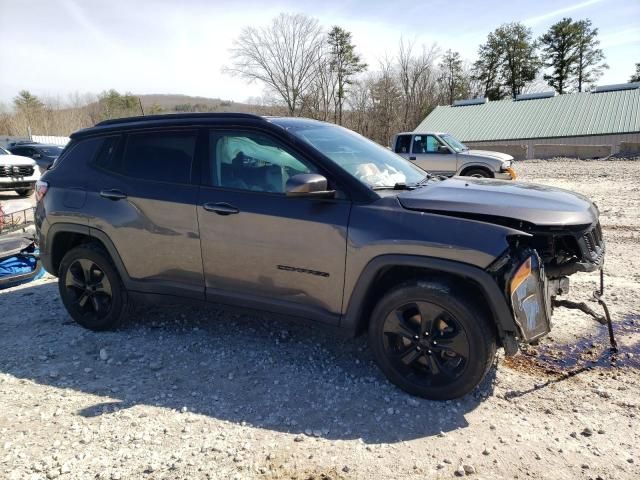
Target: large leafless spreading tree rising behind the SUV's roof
(284, 56)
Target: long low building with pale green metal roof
(602, 119)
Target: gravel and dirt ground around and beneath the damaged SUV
(181, 393)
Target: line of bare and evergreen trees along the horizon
(311, 71)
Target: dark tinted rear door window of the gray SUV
(159, 156)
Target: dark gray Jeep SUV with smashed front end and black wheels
(311, 220)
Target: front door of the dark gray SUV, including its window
(261, 248)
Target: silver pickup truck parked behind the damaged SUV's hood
(443, 154)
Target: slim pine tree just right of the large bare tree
(345, 63)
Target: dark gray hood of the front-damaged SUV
(537, 204)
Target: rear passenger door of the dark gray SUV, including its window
(143, 197)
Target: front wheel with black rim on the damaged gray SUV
(431, 342)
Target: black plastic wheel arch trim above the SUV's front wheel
(386, 271)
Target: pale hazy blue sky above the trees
(58, 47)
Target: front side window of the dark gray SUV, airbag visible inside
(251, 161)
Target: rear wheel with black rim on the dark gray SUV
(91, 288)
